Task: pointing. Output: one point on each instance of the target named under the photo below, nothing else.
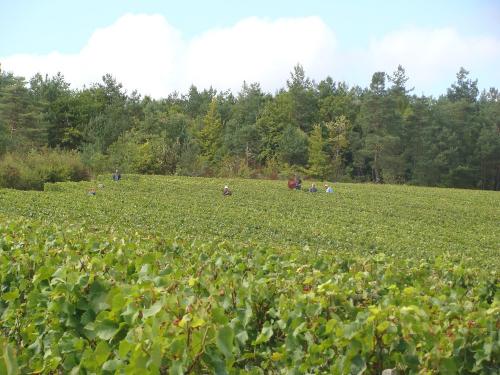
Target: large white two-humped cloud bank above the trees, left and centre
(144, 52)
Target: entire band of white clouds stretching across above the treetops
(146, 53)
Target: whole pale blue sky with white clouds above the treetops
(157, 47)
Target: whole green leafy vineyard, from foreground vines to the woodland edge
(165, 275)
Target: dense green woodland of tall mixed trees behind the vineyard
(326, 130)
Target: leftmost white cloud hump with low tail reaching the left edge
(142, 51)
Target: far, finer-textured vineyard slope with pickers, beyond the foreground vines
(398, 220)
